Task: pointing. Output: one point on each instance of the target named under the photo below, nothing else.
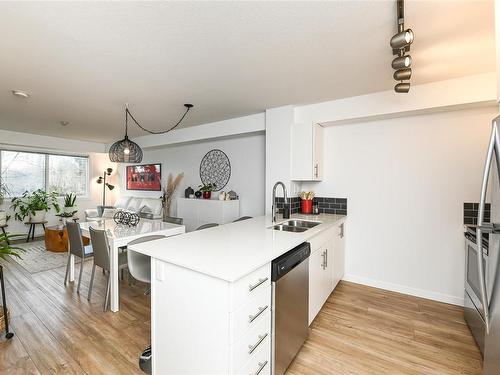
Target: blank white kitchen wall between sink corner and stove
(406, 180)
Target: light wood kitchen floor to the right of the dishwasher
(363, 330)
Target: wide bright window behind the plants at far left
(23, 171)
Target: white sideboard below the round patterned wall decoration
(196, 212)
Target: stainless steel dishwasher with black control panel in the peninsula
(290, 286)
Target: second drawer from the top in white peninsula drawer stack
(250, 314)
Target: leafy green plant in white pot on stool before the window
(34, 205)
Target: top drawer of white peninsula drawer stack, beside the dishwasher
(247, 287)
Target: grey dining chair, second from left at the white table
(101, 259)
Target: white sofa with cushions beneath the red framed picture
(150, 208)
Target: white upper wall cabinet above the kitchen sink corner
(307, 152)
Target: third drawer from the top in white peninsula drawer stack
(247, 347)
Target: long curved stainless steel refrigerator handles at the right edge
(493, 148)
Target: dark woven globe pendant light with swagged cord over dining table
(127, 151)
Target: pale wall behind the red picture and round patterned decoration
(247, 157)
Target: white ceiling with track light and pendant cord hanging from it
(83, 61)
